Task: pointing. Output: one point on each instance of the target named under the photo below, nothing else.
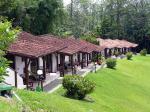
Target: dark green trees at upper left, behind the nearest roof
(35, 16)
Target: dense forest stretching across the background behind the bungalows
(122, 19)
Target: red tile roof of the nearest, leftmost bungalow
(29, 45)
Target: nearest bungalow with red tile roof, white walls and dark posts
(30, 53)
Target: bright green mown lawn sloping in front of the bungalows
(126, 89)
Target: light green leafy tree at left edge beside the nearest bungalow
(7, 36)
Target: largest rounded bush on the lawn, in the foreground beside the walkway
(77, 86)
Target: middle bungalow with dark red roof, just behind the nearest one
(78, 52)
